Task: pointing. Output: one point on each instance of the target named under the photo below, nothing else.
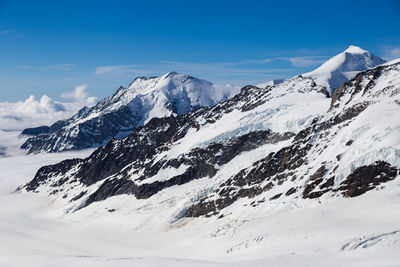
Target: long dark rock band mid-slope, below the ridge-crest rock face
(202, 162)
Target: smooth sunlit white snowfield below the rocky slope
(354, 232)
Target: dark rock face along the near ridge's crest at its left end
(107, 161)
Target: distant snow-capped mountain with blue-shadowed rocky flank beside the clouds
(128, 108)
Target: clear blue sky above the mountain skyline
(50, 47)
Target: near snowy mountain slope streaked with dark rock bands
(259, 149)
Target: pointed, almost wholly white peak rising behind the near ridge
(343, 67)
